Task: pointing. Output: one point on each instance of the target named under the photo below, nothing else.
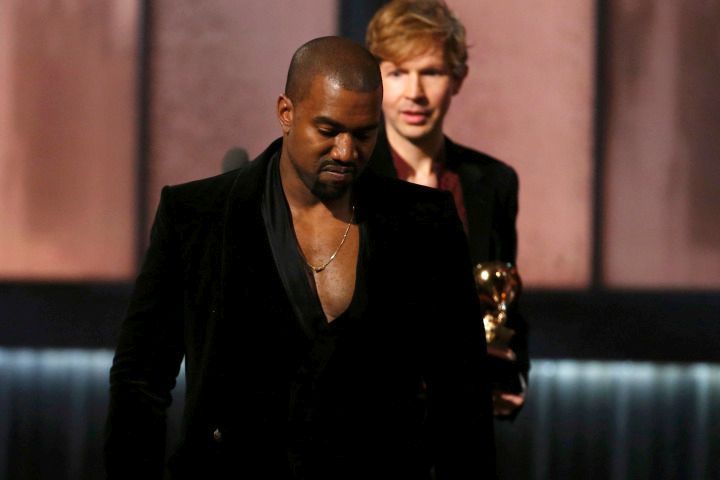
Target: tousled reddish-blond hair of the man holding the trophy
(403, 29)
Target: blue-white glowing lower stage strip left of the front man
(54, 404)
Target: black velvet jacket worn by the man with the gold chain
(209, 291)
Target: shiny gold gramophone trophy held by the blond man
(498, 284)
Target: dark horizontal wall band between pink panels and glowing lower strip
(637, 325)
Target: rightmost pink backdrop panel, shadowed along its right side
(662, 189)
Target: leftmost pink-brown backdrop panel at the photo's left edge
(67, 139)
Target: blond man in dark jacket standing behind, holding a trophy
(422, 50)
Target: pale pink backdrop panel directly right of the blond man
(529, 100)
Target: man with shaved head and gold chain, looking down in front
(294, 291)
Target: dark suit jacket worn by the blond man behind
(490, 194)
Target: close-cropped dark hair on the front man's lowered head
(337, 59)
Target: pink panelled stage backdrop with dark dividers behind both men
(614, 141)
